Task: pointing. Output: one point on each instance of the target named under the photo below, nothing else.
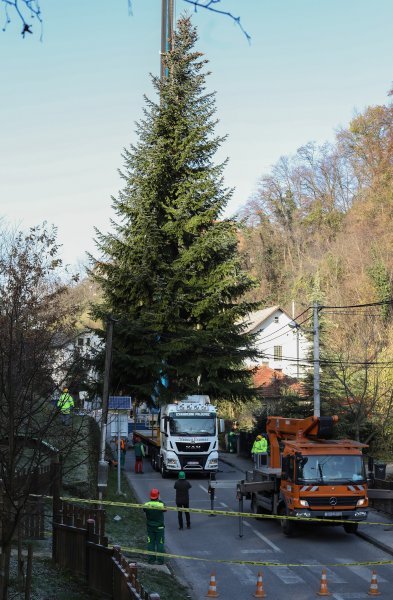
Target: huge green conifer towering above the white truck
(170, 272)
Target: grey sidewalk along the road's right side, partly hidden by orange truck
(379, 535)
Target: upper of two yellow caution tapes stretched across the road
(224, 513)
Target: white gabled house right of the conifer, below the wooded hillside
(285, 347)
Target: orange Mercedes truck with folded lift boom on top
(308, 476)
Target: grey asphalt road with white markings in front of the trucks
(211, 538)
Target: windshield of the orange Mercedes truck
(330, 469)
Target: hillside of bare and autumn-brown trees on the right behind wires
(319, 228)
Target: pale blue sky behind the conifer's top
(69, 103)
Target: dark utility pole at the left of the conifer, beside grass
(103, 465)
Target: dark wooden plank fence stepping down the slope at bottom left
(80, 545)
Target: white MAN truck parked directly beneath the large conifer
(185, 437)
